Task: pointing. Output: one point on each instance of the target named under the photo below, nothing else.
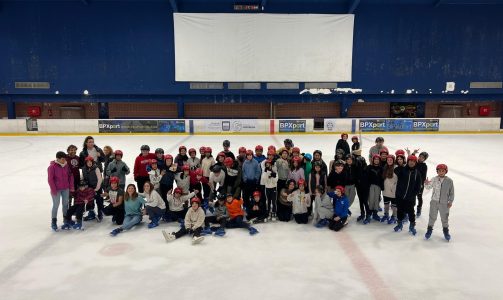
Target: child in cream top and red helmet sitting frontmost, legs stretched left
(194, 220)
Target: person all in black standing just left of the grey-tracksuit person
(408, 186)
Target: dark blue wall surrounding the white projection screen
(126, 48)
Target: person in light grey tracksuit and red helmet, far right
(442, 197)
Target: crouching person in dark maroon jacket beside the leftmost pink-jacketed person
(84, 198)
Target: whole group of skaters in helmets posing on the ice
(208, 194)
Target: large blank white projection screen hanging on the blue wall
(263, 47)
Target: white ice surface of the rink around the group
(284, 261)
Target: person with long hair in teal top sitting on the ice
(132, 205)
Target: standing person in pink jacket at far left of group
(60, 178)
